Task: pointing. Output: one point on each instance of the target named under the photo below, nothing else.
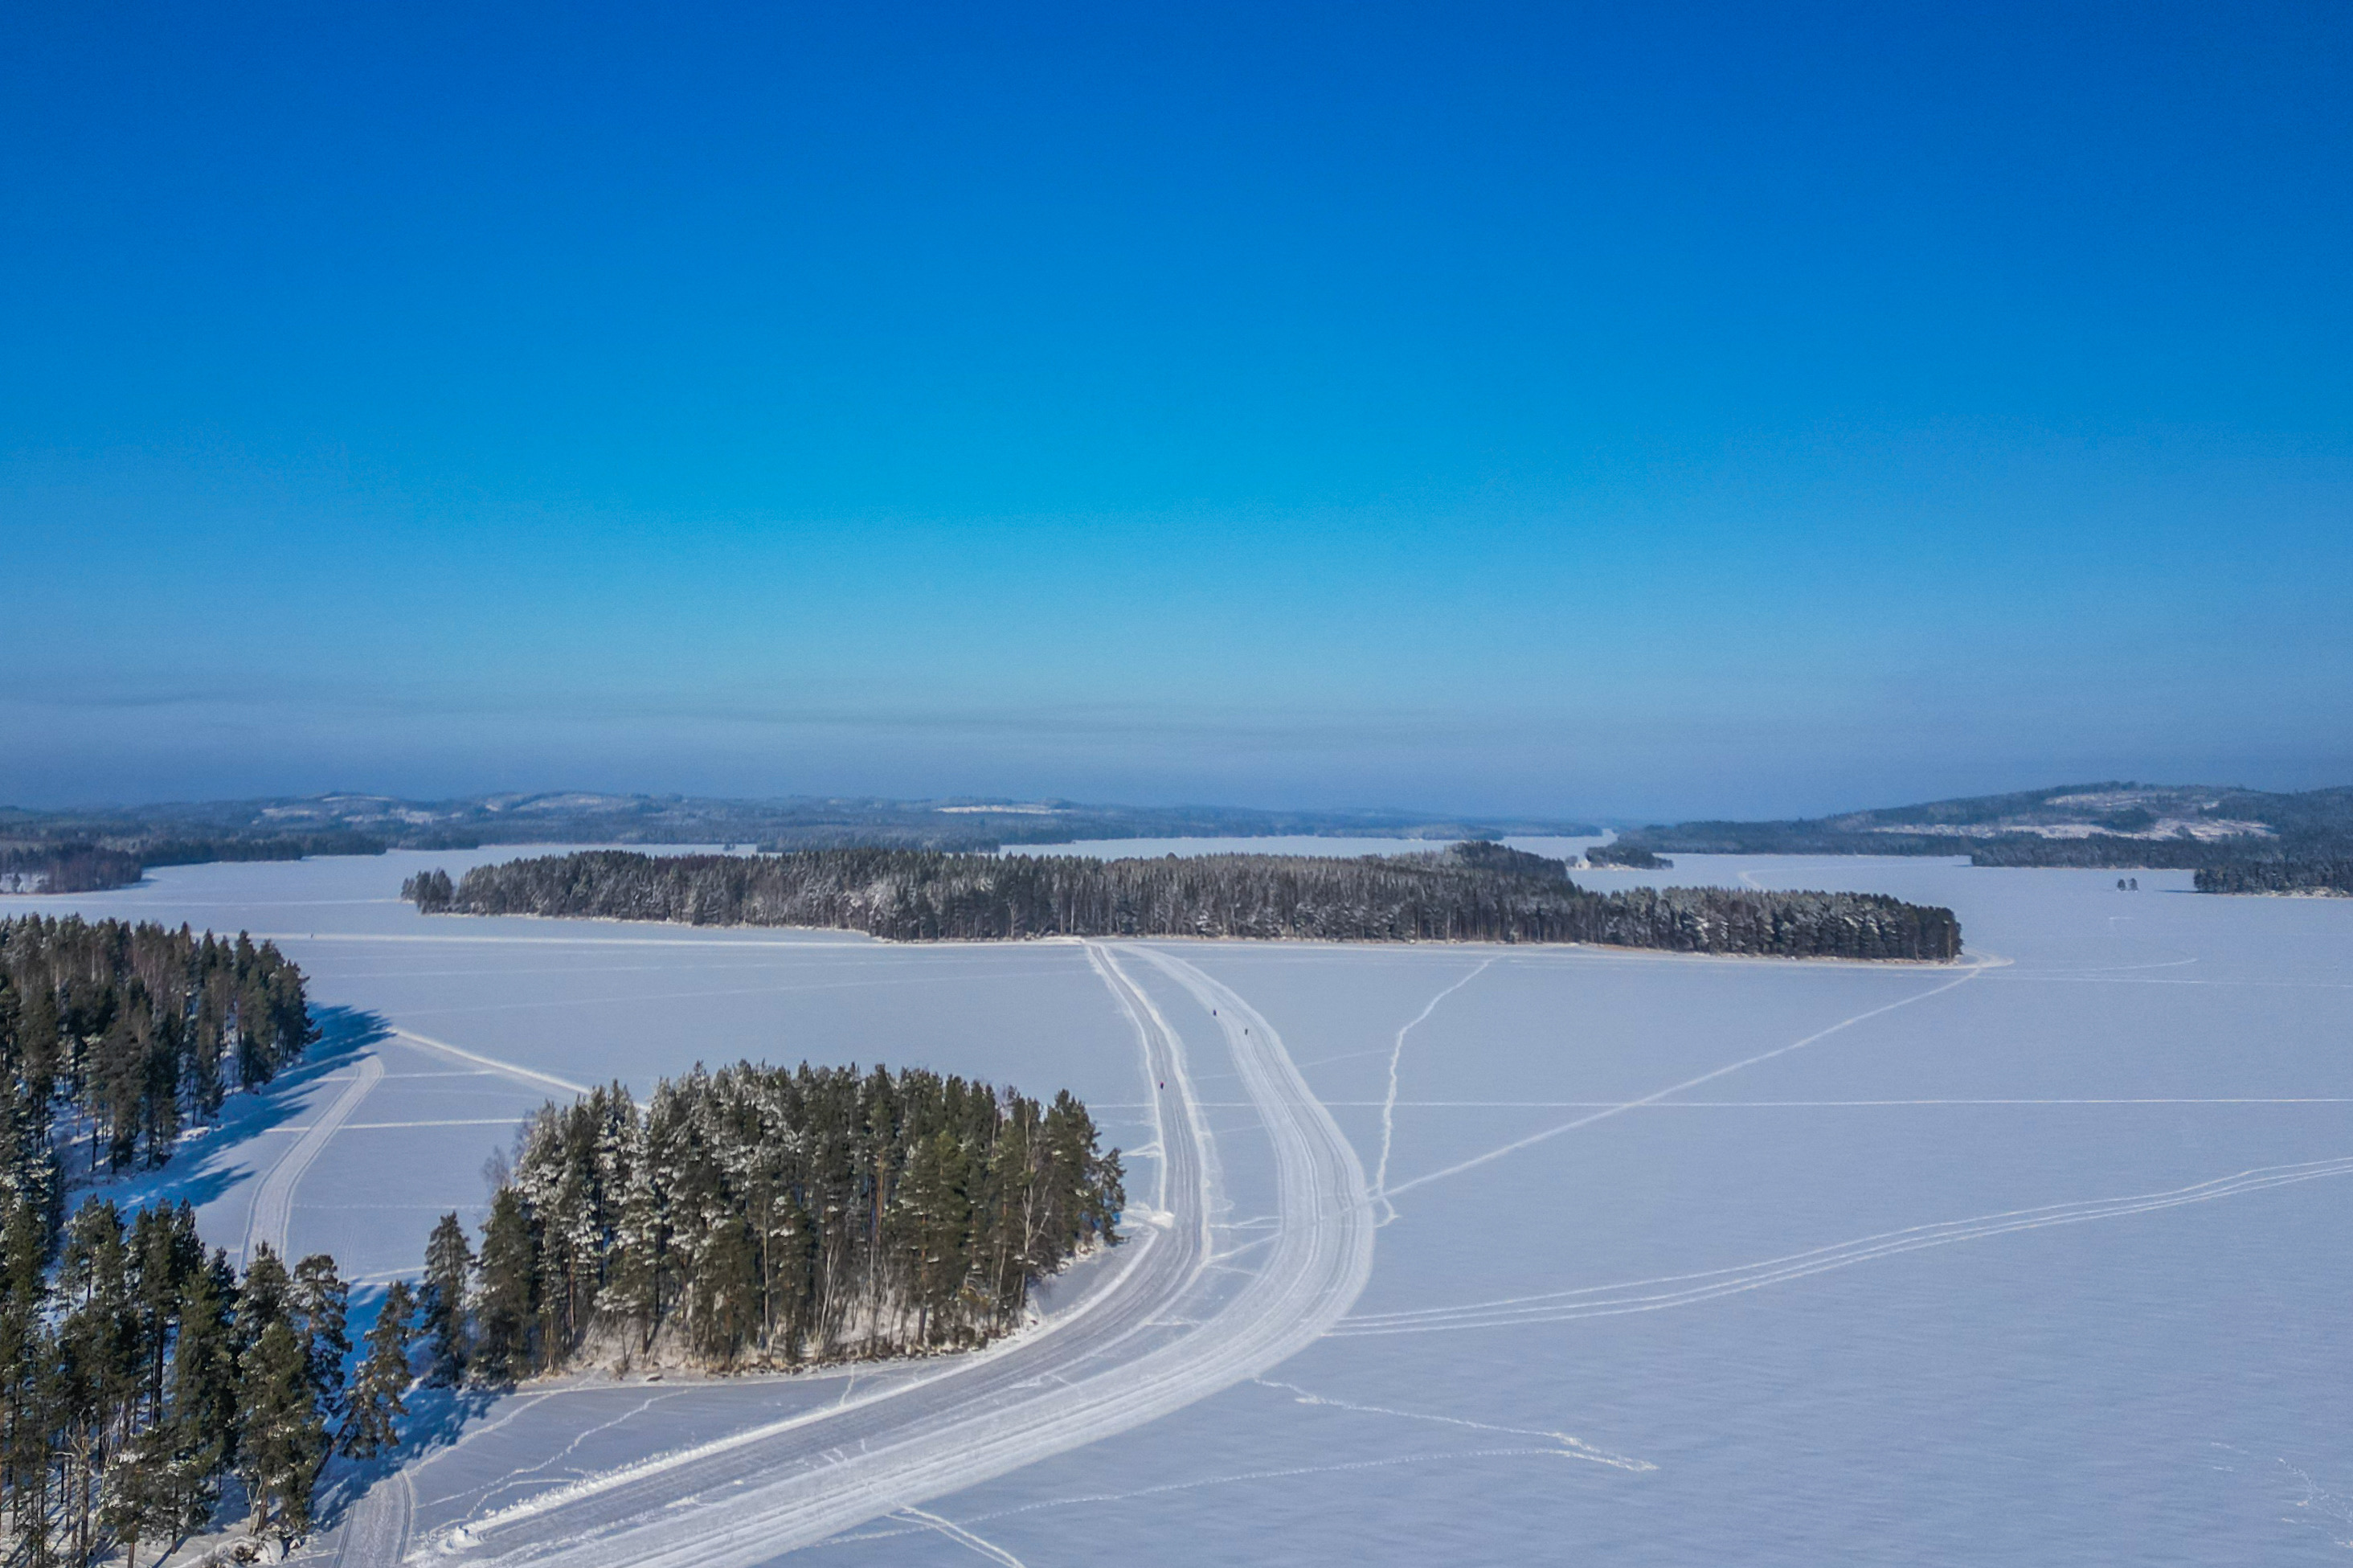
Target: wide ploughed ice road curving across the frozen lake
(1145, 1346)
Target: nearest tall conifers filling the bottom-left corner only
(147, 1378)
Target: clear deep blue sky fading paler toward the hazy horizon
(1629, 411)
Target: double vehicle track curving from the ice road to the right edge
(1712, 1284)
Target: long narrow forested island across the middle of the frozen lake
(1469, 893)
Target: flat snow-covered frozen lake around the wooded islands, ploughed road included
(2039, 1258)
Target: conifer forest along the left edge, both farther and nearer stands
(142, 1376)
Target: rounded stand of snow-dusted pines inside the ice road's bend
(771, 1218)
